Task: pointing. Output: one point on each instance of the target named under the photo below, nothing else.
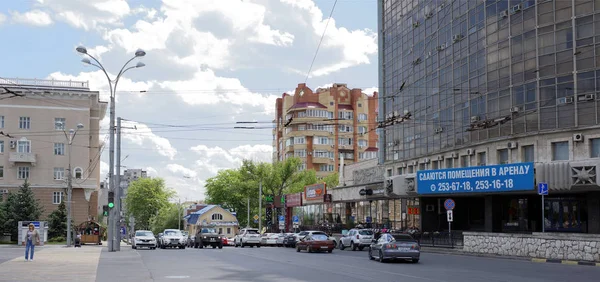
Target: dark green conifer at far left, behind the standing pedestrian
(21, 206)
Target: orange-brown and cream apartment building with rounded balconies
(325, 125)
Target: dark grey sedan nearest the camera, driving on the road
(401, 246)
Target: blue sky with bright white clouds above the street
(209, 64)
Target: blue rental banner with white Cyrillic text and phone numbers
(480, 179)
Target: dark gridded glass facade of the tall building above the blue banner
(532, 64)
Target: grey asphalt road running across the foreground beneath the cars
(285, 264)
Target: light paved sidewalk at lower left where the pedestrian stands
(54, 264)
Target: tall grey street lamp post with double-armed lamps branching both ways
(112, 84)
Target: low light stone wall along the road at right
(561, 246)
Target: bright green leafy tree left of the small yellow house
(145, 198)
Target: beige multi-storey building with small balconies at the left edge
(33, 145)
